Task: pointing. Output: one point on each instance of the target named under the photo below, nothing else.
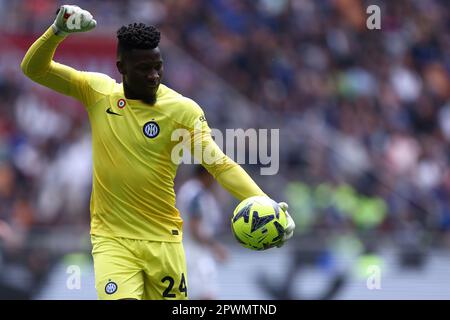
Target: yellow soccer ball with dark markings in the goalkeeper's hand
(258, 223)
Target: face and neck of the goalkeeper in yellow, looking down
(142, 71)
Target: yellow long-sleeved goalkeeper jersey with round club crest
(133, 170)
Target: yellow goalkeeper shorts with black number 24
(139, 269)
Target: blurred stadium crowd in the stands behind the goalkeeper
(364, 115)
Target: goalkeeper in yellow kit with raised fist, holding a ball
(136, 230)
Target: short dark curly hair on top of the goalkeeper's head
(137, 36)
